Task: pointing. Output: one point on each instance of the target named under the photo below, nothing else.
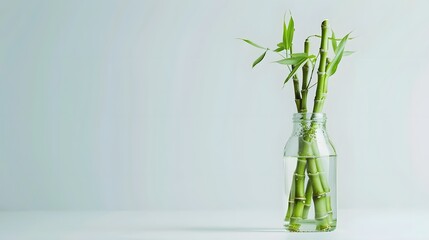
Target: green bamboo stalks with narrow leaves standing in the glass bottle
(317, 190)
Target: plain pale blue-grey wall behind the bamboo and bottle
(153, 105)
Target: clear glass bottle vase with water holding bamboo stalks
(310, 176)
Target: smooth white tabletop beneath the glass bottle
(352, 224)
